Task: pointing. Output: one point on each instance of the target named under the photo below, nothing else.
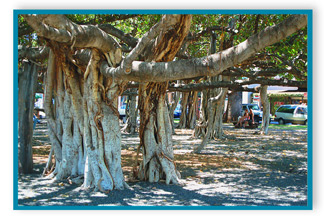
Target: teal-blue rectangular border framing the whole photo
(170, 11)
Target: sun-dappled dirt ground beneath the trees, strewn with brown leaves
(250, 170)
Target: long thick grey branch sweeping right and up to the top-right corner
(211, 65)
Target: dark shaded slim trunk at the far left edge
(27, 87)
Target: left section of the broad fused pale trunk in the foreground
(64, 118)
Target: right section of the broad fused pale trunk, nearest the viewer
(101, 130)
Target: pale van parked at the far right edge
(296, 114)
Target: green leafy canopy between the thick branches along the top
(289, 54)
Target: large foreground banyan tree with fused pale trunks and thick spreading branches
(90, 61)
